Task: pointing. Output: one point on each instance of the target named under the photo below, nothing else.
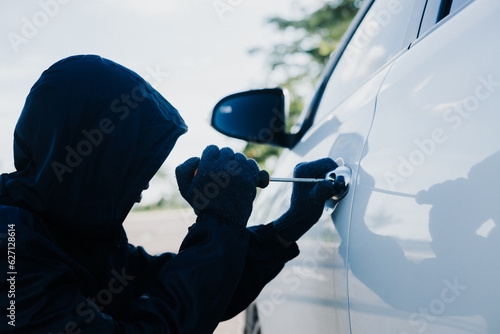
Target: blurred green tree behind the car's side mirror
(297, 63)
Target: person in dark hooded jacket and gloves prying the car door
(89, 139)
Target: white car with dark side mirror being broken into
(411, 103)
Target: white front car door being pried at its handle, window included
(310, 295)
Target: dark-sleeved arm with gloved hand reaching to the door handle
(272, 245)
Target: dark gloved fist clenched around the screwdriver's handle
(225, 184)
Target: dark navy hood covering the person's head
(90, 137)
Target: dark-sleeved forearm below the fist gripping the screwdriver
(195, 287)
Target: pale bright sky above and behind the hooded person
(194, 52)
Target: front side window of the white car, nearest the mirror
(378, 38)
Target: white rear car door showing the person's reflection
(423, 241)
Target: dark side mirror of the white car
(256, 116)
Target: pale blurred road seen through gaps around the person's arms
(163, 231)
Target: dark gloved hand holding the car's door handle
(308, 199)
